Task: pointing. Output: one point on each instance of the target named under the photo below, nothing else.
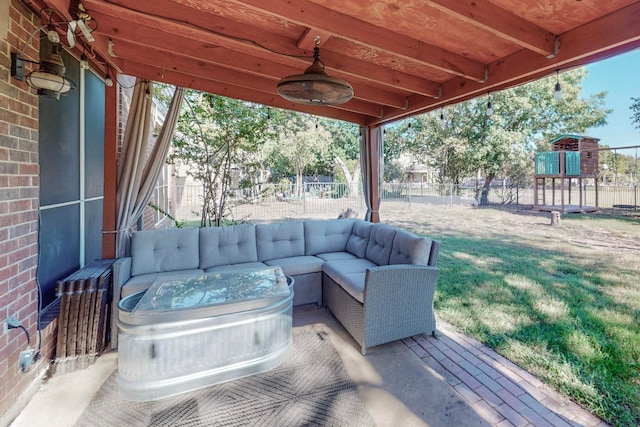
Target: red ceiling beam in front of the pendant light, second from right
(306, 13)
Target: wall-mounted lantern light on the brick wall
(49, 80)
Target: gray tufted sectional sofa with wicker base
(377, 280)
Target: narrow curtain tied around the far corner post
(366, 163)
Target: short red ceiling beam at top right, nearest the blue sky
(485, 15)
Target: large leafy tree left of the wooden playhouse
(471, 142)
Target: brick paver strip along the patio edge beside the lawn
(504, 393)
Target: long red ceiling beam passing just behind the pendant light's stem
(113, 19)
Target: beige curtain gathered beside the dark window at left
(137, 172)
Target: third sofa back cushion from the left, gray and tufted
(280, 240)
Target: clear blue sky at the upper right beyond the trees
(620, 78)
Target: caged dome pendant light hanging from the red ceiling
(315, 86)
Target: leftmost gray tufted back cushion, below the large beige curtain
(155, 251)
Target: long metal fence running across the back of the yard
(269, 201)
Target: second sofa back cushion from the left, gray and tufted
(234, 244)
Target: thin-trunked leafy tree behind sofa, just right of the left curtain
(213, 135)
